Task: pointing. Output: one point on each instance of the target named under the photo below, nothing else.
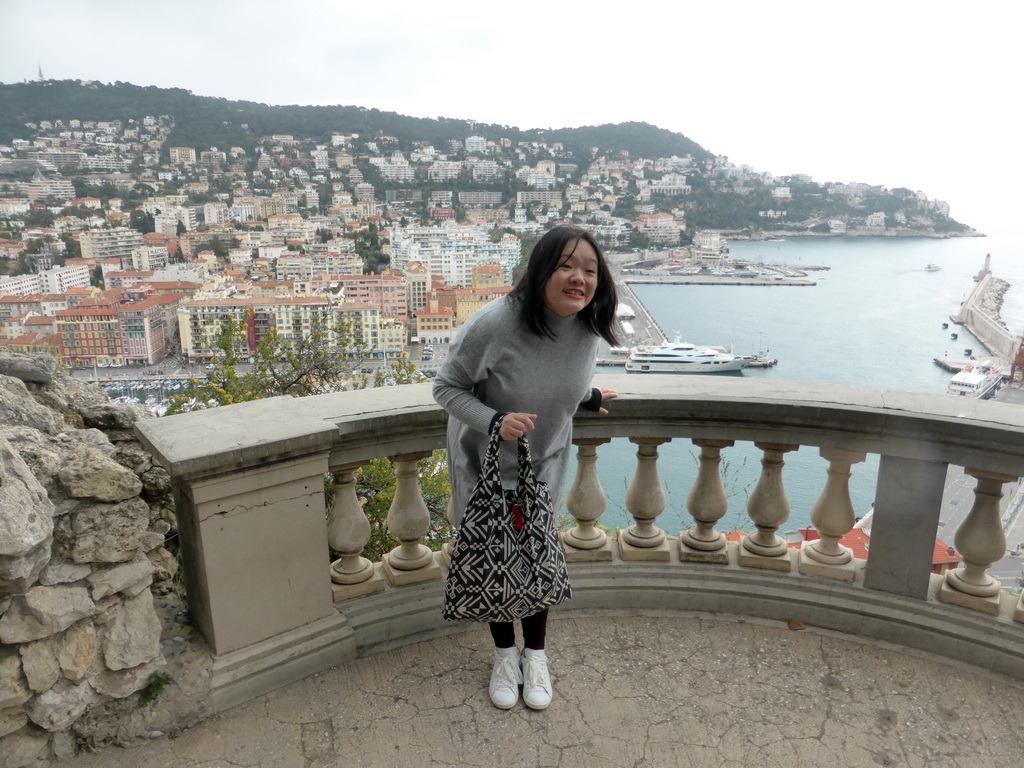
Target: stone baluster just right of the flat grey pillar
(980, 542)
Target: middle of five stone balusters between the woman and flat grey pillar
(707, 504)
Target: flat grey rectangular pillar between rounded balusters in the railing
(908, 503)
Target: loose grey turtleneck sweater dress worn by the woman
(497, 365)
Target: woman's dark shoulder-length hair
(600, 315)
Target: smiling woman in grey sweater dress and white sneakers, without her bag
(527, 361)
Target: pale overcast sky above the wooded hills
(902, 93)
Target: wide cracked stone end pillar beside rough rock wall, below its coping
(254, 552)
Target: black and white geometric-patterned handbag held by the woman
(507, 562)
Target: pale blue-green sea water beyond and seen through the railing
(874, 319)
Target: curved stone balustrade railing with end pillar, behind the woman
(250, 500)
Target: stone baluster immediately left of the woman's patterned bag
(409, 522)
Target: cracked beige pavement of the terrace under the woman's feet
(651, 689)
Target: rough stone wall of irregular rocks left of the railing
(90, 609)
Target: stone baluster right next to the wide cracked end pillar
(352, 574)
